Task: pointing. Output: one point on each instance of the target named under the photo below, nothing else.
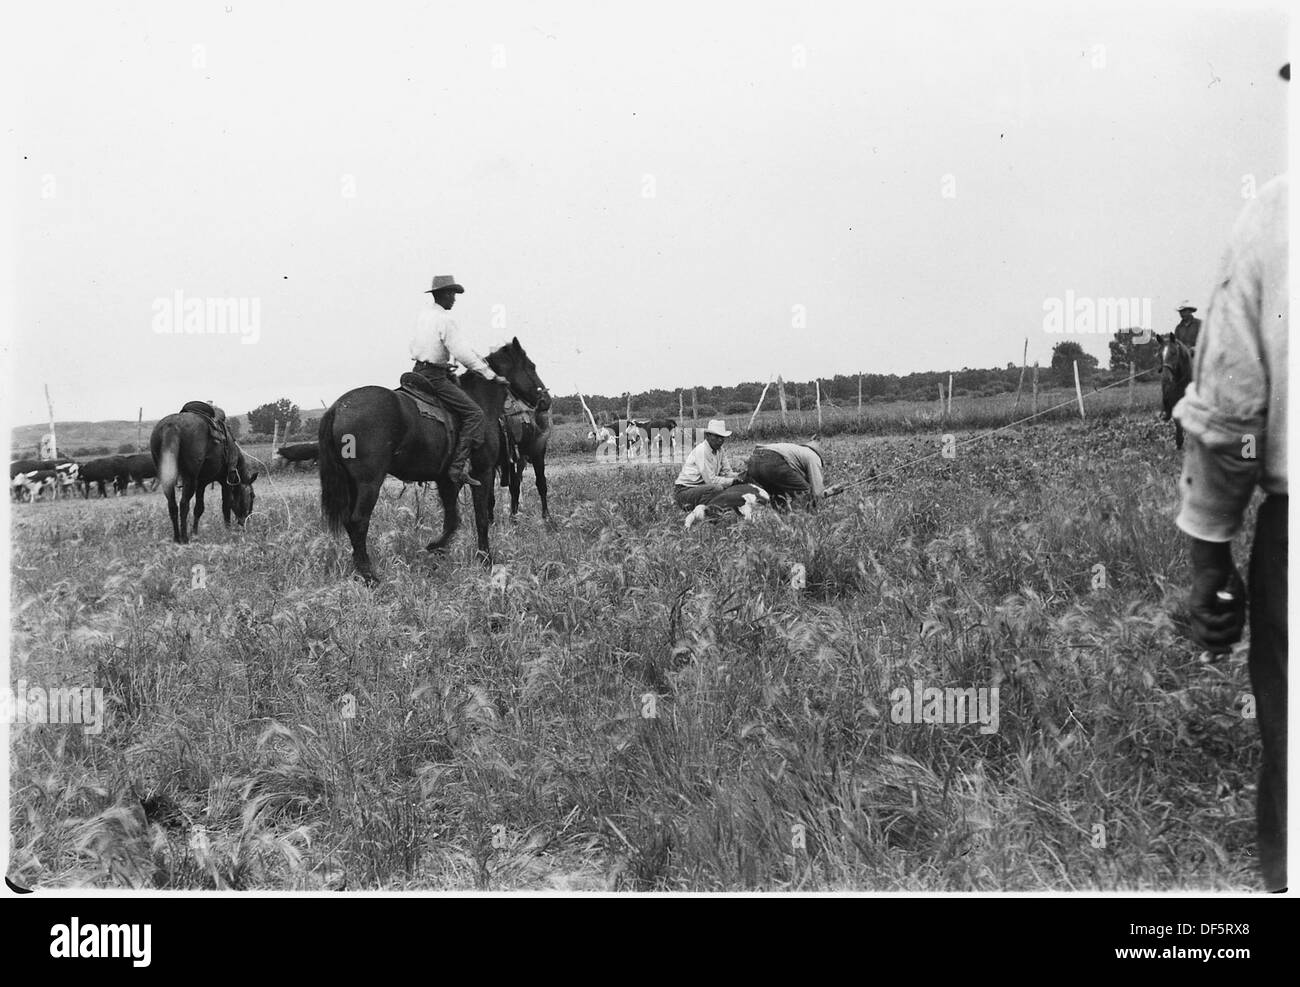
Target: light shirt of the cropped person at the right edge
(1238, 378)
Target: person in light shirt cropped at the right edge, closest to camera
(1236, 417)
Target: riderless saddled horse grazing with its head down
(187, 452)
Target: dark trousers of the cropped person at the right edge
(1269, 682)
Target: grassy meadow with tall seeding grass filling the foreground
(626, 705)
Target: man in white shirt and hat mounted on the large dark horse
(436, 344)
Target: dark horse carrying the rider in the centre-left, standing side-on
(374, 432)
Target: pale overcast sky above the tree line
(647, 196)
